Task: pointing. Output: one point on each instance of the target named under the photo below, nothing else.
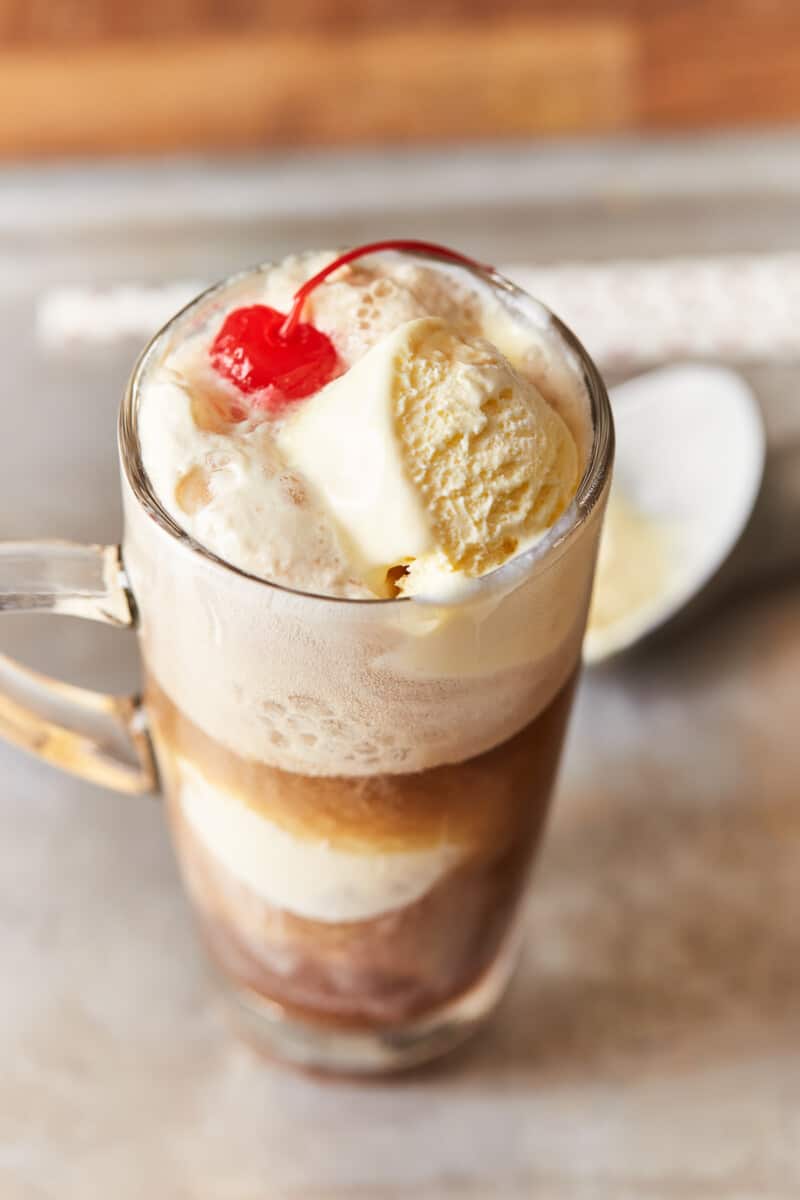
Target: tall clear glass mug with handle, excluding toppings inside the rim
(356, 789)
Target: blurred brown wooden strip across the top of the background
(99, 76)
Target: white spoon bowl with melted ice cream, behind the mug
(690, 460)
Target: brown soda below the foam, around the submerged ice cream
(404, 964)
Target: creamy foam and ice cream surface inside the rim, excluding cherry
(424, 395)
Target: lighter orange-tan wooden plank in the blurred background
(285, 89)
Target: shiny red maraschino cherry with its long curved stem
(282, 358)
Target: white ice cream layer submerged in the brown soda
(309, 879)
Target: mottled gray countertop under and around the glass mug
(651, 1043)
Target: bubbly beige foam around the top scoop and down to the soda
(321, 686)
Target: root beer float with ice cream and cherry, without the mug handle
(359, 722)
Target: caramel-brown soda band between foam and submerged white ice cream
(484, 803)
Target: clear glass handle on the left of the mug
(100, 737)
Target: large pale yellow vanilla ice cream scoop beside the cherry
(435, 458)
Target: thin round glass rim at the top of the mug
(539, 556)
